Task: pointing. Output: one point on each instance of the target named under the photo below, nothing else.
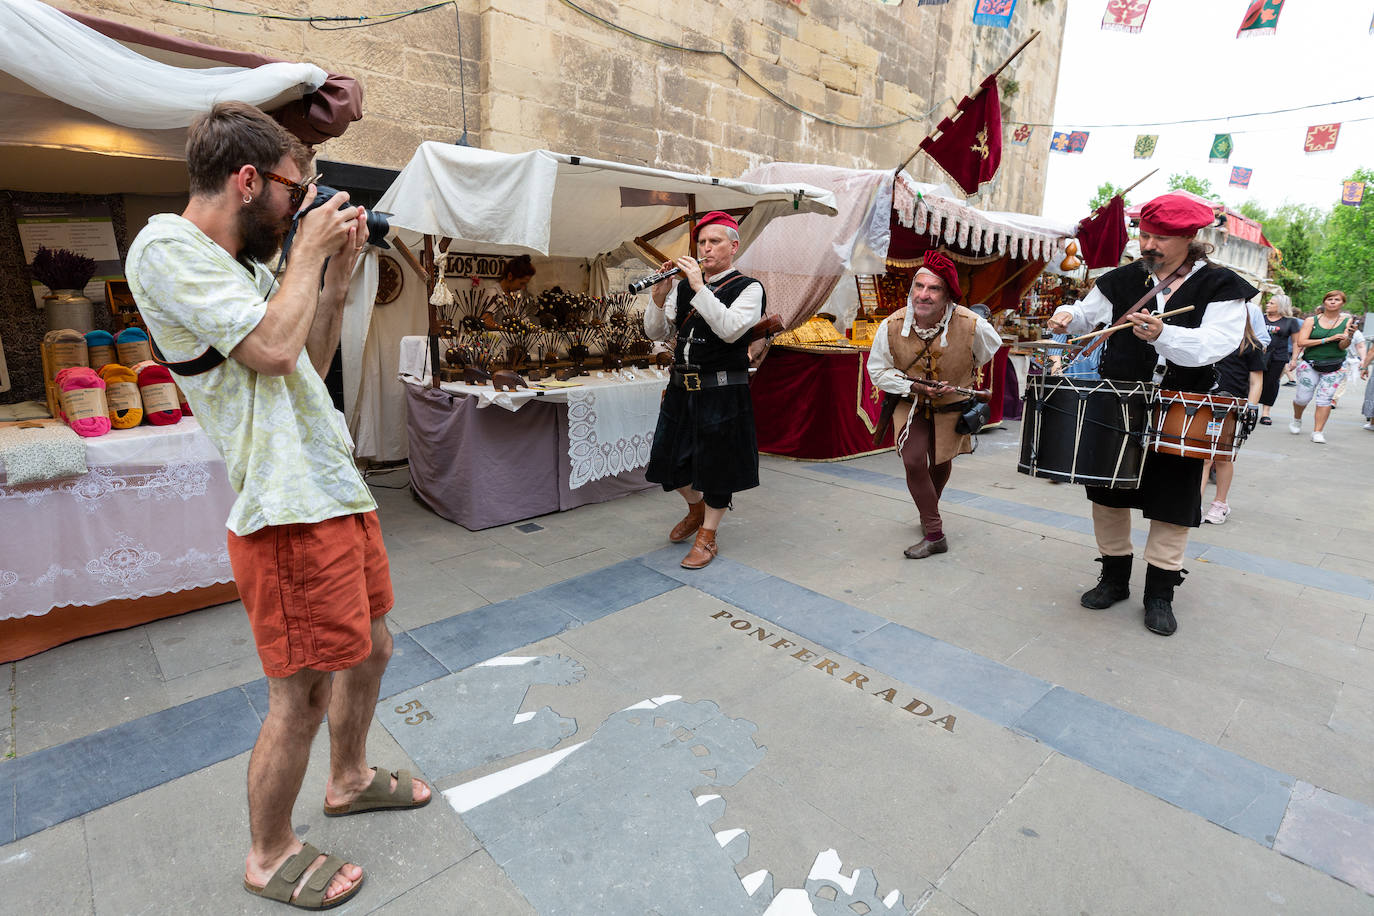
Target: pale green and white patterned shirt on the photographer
(286, 448)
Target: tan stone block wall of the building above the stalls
(542, 73)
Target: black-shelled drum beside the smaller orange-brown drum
(1086, 431)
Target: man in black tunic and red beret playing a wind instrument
(704, 444)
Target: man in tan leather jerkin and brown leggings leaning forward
(931, 339)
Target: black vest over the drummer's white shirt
(1129, 359)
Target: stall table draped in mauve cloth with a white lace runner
(483, 458)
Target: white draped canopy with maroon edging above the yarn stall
(87, 113)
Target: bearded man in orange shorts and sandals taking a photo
(304, 539)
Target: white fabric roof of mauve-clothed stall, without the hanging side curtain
(570, 207)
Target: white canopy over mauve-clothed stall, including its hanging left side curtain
(539, 203)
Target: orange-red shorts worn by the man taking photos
(313, 591)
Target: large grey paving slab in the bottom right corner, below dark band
(1119, 851)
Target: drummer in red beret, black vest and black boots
(1177, 354)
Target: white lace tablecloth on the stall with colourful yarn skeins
(146, 520)
